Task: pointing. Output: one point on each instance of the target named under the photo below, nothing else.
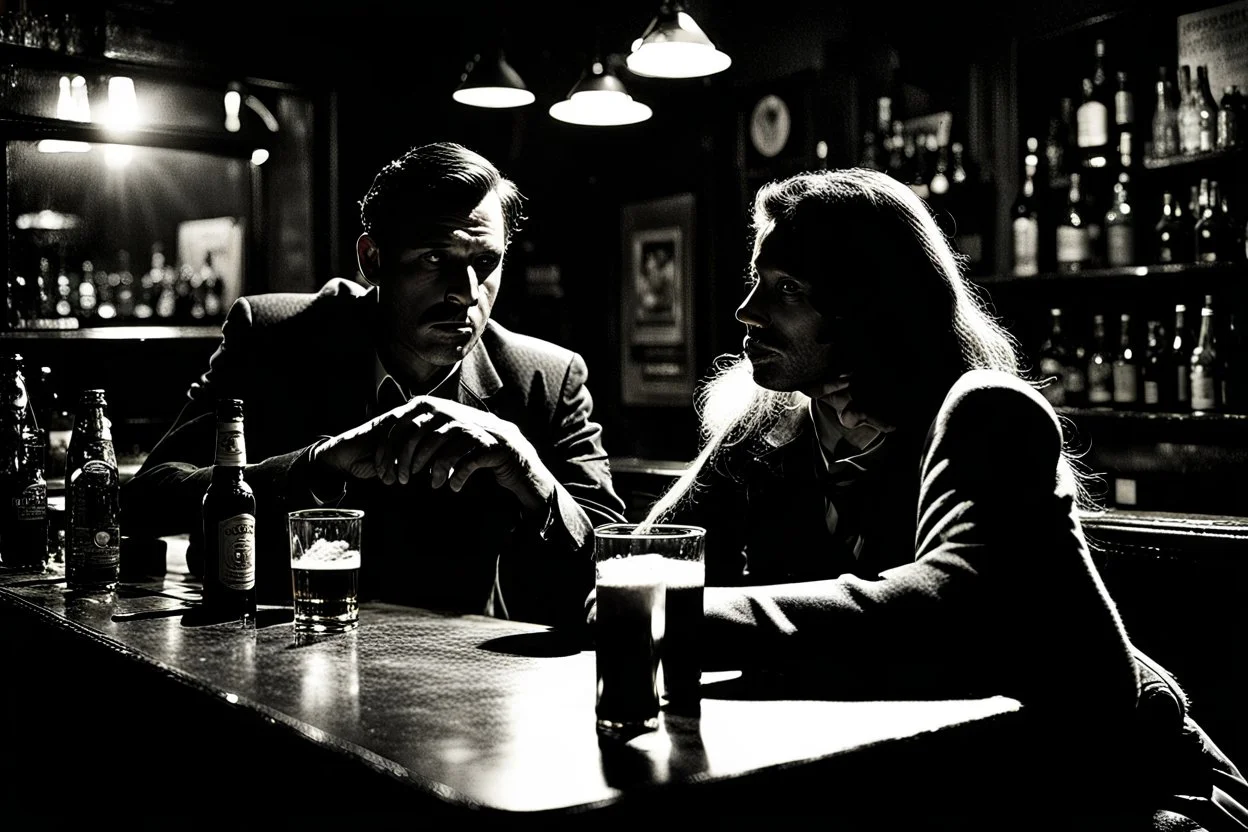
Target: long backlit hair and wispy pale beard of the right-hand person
(910, 283)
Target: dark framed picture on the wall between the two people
(657, 302)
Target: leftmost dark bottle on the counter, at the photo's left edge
(24, 502)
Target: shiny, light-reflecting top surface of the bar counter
(476, 714)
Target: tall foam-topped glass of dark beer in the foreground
(653, 571)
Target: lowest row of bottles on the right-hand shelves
(1169, 370)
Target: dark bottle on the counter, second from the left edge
(93, 493)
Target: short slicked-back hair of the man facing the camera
(430, 183)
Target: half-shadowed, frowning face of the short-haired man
(436, 293)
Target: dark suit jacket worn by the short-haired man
(304, 367)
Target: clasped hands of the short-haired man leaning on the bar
(447, 440)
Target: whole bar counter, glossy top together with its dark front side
(125, 698)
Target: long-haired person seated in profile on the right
(892, 512)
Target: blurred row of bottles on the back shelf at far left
(69, 294)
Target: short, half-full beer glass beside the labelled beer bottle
(325, 569)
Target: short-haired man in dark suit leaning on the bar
(471, 448)
